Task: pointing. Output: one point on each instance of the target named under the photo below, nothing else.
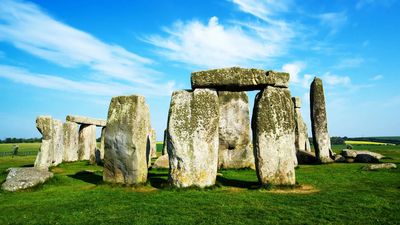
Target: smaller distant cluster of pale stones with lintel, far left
(70, 141)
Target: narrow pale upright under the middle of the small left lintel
(87, 142)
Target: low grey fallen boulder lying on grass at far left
(23, 178)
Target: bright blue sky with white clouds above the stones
(70, 57)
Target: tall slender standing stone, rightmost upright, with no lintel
(319, 123)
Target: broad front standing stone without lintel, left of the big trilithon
(126, 147)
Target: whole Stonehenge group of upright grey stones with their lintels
(208, 128)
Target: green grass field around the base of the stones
(329, 194)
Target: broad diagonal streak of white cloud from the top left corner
(28, 28)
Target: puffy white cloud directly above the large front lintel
(213, 45)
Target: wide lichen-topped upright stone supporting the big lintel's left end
(193, 138)
